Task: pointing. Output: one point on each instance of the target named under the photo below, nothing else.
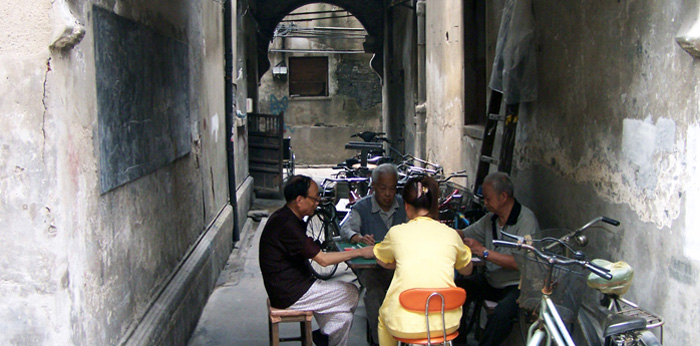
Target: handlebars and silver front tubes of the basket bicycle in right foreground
(550, 324)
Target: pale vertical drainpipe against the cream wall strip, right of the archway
(420, 115)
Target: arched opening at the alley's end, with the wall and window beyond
(322, 82)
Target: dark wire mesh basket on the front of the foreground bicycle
(567, 290)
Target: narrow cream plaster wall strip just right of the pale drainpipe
(445, 84)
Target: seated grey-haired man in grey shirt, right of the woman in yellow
(499, 281)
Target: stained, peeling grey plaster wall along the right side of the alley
(615, 132)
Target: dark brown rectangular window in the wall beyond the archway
(308, 76)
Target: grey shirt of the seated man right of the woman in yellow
(522, 221)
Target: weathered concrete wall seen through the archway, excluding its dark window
(320, 127)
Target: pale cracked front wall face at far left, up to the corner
(33, 278)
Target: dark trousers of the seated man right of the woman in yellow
(500, 323)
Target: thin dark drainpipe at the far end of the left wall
(228, 90)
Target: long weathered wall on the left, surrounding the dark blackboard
(77, 266)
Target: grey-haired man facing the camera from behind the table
(369, 221)
